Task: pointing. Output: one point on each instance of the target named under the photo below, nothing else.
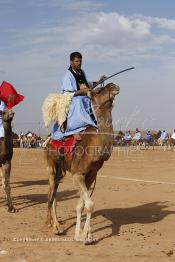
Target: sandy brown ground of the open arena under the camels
(134, 216)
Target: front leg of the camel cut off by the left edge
(7, 188)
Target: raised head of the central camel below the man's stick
(103, 97)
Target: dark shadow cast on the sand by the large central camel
(143, 214)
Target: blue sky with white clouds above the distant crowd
(37, 37)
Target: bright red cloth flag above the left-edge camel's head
(9, 95)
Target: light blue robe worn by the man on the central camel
(81, 113)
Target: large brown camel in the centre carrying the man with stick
(89, 156)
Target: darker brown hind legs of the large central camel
(53, 186)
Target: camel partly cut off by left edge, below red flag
(6, 153)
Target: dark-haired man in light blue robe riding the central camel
(81, 113)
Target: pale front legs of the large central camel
(85, 235)
